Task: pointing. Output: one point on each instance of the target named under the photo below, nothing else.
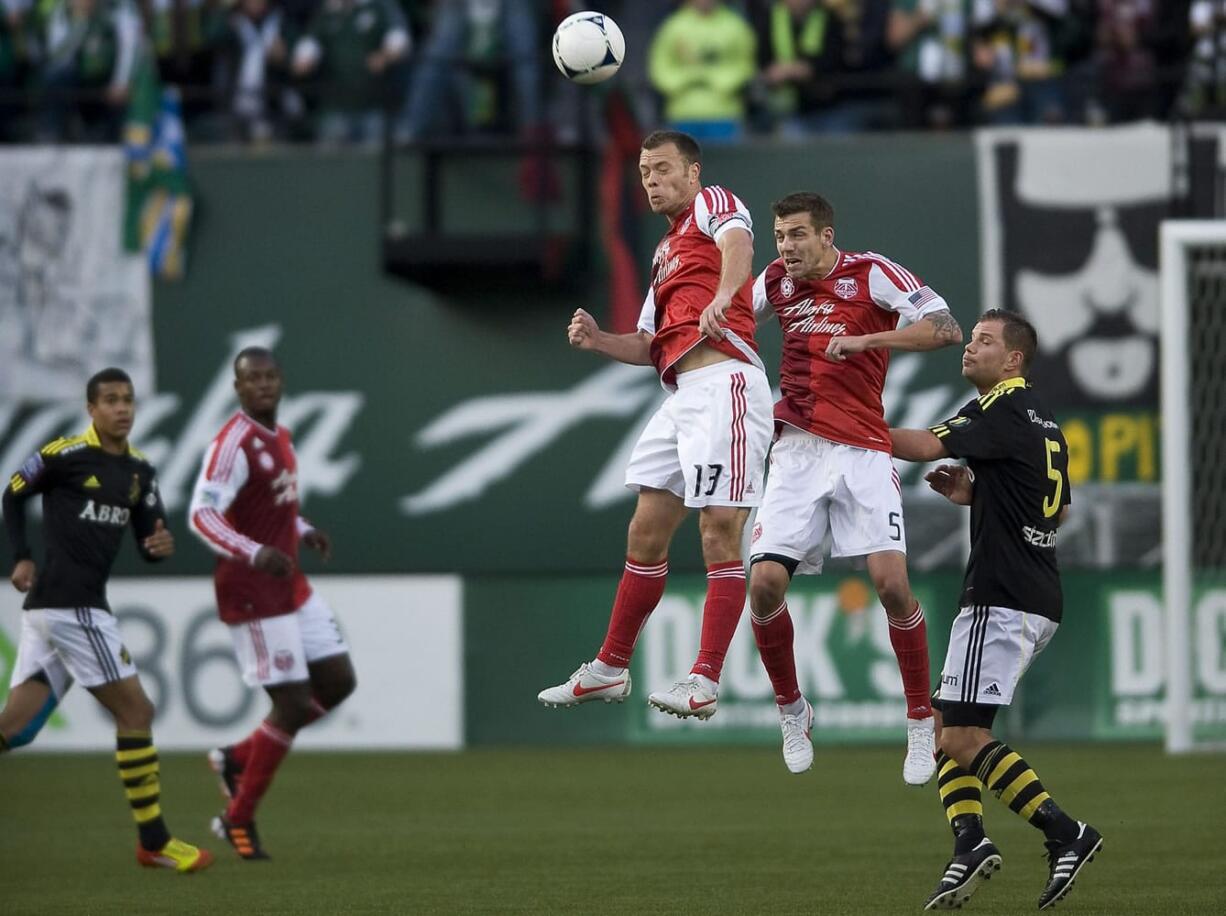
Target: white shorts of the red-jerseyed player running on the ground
(276, 651)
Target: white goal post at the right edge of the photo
(1184, 551)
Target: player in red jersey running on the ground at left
(246, 510)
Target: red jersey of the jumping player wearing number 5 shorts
(864, 294)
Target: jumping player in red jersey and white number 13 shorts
(707, 446)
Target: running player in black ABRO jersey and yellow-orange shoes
(94, 487)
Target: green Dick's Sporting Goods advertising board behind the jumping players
(1103, 677)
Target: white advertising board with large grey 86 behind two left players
(404, 636)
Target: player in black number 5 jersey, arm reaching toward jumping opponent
(1016, 481)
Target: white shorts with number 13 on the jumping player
(708, 442)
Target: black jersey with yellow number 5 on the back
(1019, 458)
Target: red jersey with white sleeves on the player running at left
(247, 498)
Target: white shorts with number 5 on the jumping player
(817, 486)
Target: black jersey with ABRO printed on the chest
(90, 498)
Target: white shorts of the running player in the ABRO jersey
(80, 643)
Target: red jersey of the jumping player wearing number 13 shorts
(685, 279)
